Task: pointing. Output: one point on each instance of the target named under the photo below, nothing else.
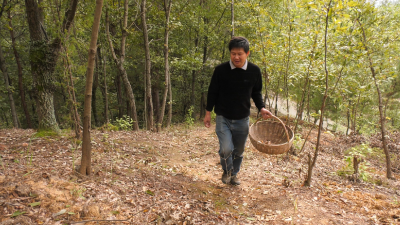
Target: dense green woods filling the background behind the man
(157, 57)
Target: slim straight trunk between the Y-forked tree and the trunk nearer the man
(149, 104)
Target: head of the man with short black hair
(239, 48)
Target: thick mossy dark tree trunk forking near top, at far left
(43, 58)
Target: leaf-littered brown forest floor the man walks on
(173, 177)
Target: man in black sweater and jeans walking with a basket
(232, 85)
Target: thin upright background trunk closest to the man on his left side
(167, 10)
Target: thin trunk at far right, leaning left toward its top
(381, 111)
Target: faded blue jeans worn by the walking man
(232, 135)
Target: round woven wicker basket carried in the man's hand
(271, 137)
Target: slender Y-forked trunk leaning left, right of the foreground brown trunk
(120, 63)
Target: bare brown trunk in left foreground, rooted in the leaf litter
(85, 168)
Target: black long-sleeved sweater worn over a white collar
(230, 91)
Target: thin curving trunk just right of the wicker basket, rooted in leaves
(312, 162)
